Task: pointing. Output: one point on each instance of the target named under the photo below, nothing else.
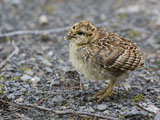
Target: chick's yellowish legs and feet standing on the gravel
(108, 91)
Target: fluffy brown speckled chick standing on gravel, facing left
(102, 55)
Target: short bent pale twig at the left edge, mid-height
(15, 52)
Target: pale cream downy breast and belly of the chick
(82, 61)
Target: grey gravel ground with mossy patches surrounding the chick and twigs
(41, 73)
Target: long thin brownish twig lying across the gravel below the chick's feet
(58, 112)
